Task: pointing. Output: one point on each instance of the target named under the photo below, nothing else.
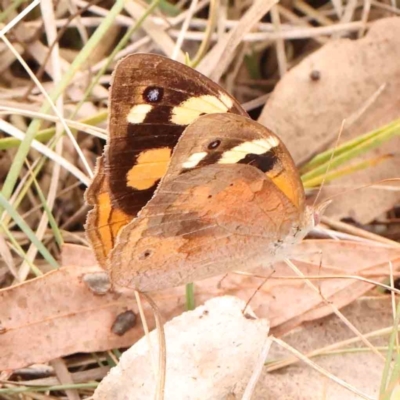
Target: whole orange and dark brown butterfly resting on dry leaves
(188, 185)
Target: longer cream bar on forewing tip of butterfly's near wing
(258, 146)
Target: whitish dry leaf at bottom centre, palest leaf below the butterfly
(211, 353)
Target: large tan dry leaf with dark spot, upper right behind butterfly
(307, 114)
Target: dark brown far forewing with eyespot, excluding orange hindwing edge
(152, 88)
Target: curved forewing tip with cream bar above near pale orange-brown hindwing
(234, 139)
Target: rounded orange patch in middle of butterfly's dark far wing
(150, 167)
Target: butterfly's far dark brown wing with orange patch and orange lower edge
(152, 100)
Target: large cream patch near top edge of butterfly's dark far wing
(189, 110)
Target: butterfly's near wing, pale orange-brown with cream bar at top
(219, 208)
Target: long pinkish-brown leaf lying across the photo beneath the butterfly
(58, 314)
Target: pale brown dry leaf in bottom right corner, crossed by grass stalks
(363, 370)
